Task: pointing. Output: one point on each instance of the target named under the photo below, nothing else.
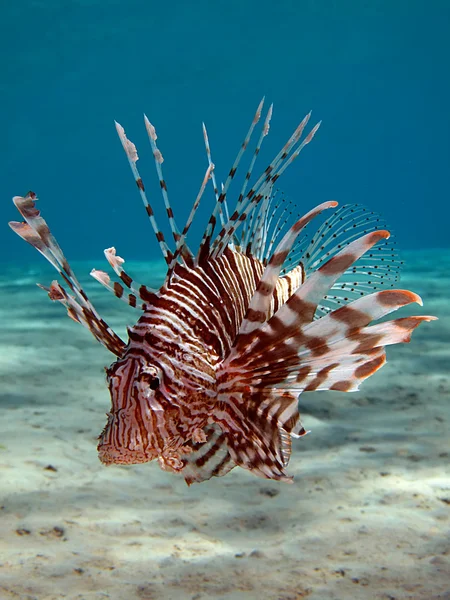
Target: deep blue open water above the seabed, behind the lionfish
(376, 72)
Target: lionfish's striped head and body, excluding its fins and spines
(164, 389)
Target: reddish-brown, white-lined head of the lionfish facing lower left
(149, 415)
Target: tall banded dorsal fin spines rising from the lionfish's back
(257, 233)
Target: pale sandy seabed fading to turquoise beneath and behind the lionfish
(367, 516)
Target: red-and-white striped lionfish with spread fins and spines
(212, 371)
